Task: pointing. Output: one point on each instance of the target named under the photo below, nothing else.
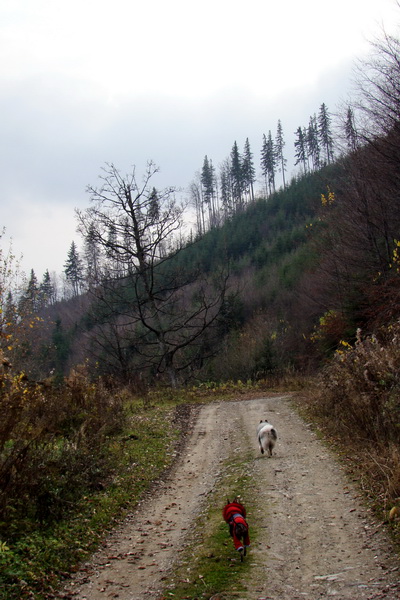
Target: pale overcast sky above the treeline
(85, 82)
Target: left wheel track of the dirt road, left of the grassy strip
(137, 557)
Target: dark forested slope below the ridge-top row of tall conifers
(279, 286)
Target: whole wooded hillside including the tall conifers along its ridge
(294, 272)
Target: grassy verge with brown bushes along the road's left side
(73, 459)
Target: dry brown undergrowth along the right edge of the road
(356, 401)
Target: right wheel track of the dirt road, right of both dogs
(319, 541)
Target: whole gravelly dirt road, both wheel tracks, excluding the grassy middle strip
(317, 540)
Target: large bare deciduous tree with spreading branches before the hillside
(156, 308)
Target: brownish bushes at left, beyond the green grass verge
(52, 444)
